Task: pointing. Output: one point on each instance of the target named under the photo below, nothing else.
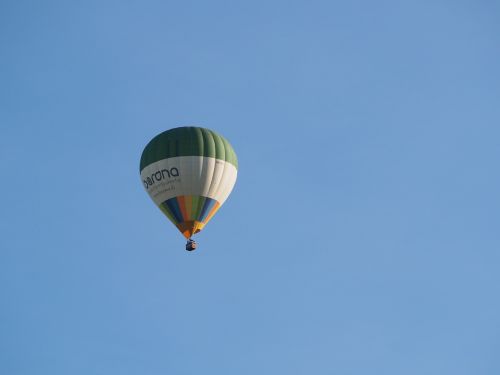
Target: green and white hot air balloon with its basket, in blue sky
(189, 173)
